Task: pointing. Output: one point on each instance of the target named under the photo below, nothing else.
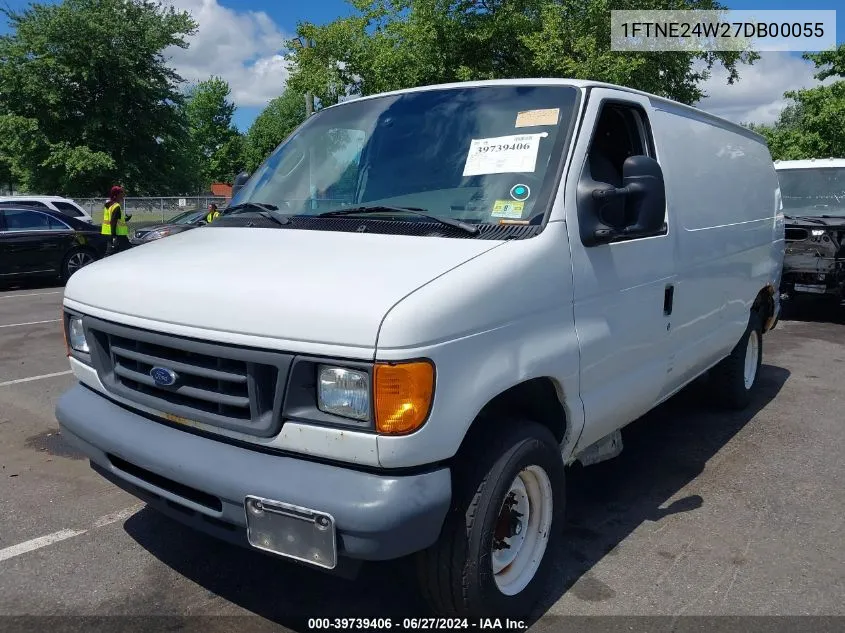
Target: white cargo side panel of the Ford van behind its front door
(721, 190)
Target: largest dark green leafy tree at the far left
(87, 98)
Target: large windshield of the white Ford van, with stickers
(482, 155)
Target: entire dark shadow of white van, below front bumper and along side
(663, 452)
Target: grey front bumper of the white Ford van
(203, 482)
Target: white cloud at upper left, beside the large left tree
(243, 47)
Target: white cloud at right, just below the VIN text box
(758, 95)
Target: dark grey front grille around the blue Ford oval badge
(219, 385)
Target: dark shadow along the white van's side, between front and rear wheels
(663, 452)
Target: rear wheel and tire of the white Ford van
(734, 378)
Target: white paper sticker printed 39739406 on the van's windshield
(503, 154)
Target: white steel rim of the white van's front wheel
(530, 495)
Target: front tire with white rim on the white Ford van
(457, 574)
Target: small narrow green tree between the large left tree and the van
(216, 143)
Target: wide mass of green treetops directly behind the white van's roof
(393, 44)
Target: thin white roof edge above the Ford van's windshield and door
(575, 83)
